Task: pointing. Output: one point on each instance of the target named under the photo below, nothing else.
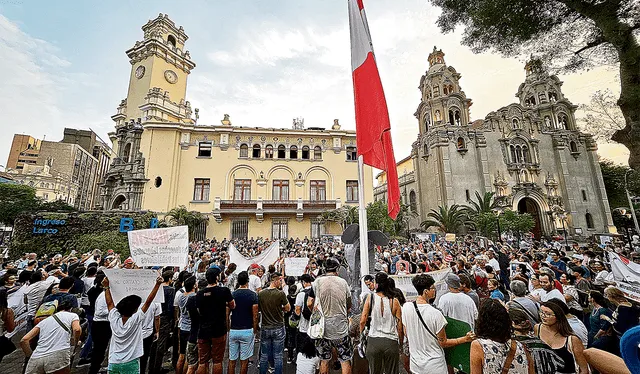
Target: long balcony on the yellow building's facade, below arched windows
(260, 207)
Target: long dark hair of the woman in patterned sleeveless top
(493, 321)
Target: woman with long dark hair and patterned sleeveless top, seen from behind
(495, 349)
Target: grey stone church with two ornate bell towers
(530, 153)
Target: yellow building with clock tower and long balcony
(250, 181)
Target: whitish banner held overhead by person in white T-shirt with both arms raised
(125, 282)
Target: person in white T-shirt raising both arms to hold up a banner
(126, 323)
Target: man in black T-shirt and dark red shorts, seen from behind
(212, 303)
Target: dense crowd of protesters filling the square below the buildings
(532, 306)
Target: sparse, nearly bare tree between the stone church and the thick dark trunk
(603, 116)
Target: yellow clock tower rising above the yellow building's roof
(159, 69)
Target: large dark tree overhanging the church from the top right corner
(572, 34)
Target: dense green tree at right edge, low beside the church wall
(613, 177)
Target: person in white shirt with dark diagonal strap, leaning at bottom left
(53, 353)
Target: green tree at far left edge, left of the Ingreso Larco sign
(14, 200)
